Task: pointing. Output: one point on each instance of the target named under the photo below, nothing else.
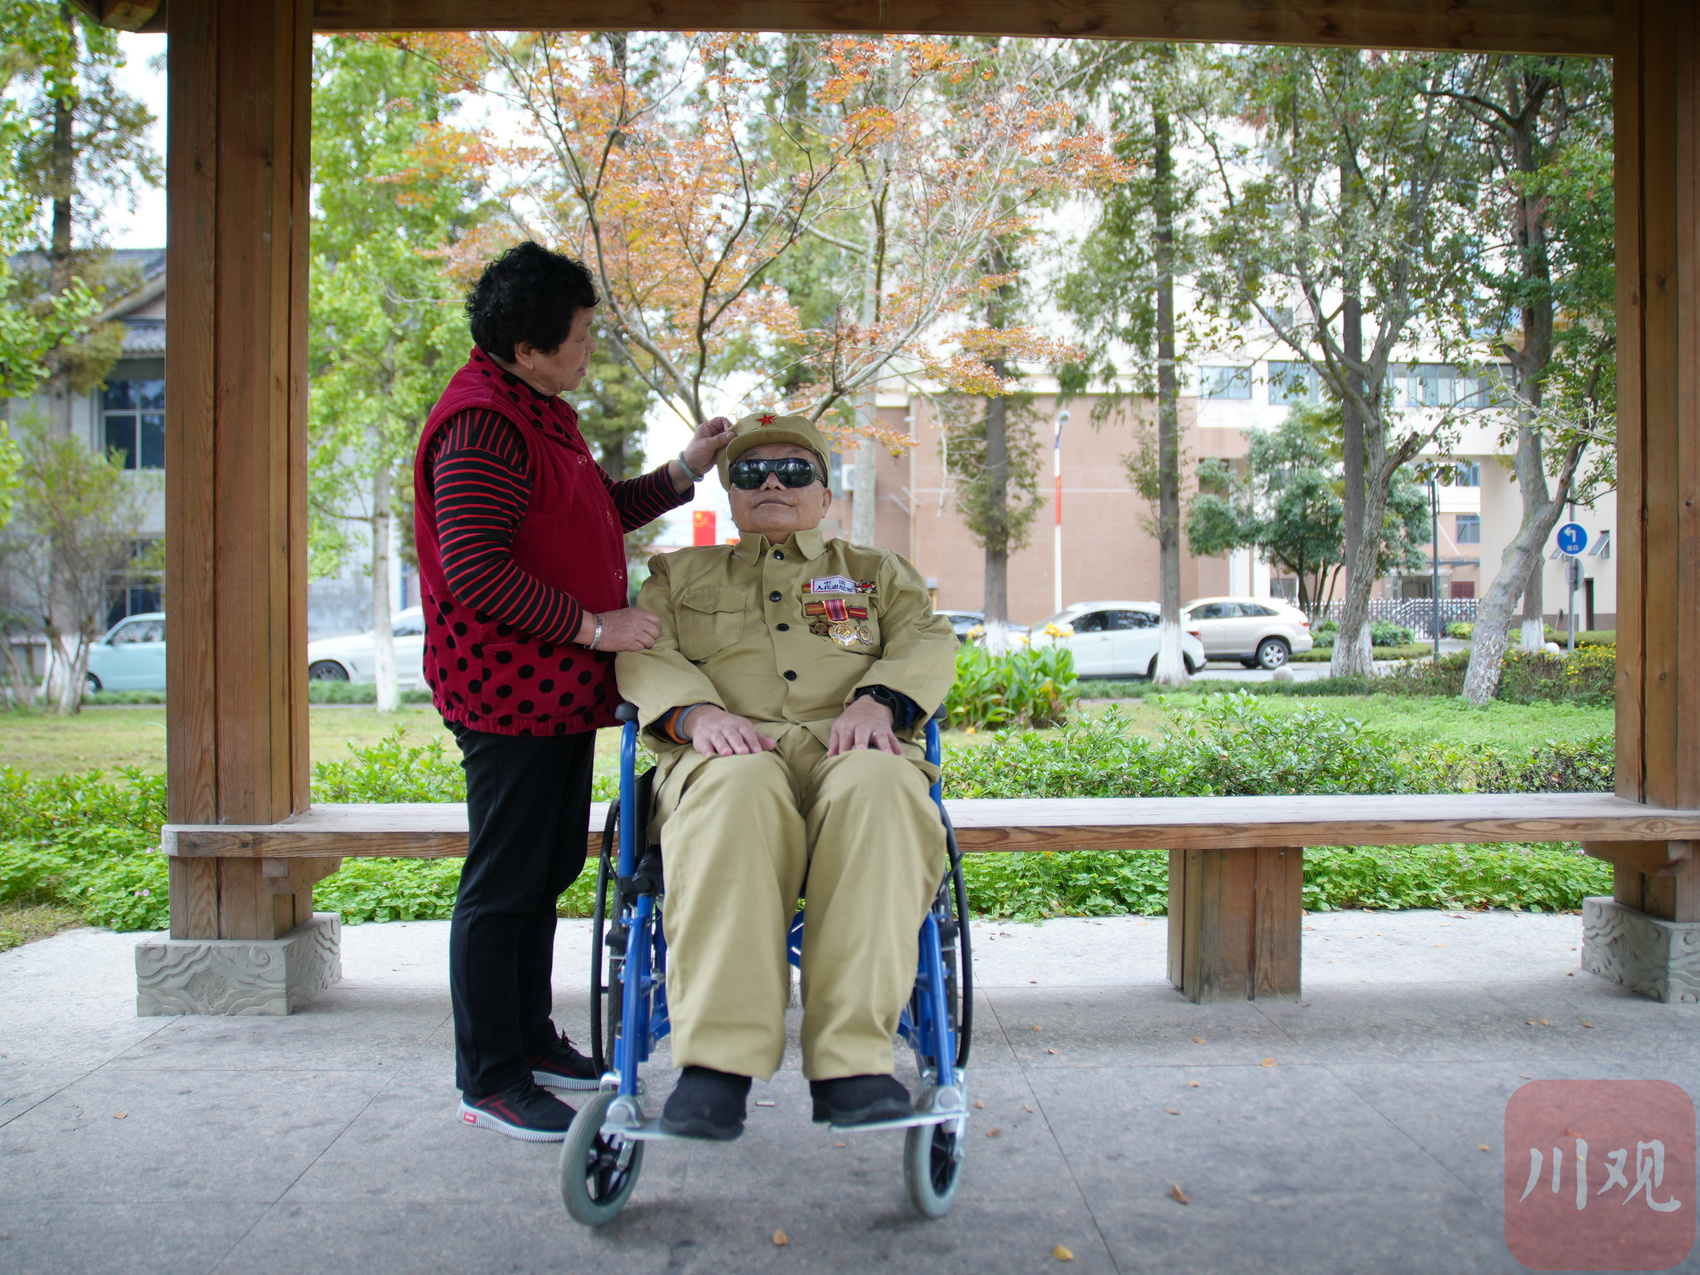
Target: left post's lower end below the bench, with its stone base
(246, 939)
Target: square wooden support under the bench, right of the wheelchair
(1235, 921)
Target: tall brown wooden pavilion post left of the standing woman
(237, 728)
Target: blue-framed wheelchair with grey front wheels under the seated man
(603, 1153)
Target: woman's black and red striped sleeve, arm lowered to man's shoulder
(480, 487)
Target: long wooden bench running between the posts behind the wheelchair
(1237, 864)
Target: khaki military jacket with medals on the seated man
(783, 637)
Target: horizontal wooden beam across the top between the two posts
(1473, 26)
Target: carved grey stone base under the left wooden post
(239, 977)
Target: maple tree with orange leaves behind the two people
(693, 173)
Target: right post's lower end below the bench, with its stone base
(1648, 934)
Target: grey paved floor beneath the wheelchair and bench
(1339, 1135)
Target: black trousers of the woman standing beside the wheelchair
(528, 805)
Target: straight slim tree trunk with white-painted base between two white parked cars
(1172, 657)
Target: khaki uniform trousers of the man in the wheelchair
(861, 837)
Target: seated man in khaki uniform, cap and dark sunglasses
(781, 700)
